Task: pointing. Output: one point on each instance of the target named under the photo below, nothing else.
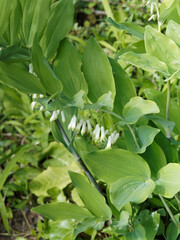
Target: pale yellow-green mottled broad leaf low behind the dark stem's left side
(43, 182)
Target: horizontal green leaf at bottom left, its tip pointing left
(62, 211)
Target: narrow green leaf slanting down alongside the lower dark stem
(90, 196)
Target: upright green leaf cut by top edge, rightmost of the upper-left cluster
(59, 24)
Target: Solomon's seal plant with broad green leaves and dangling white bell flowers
(125, 143)
